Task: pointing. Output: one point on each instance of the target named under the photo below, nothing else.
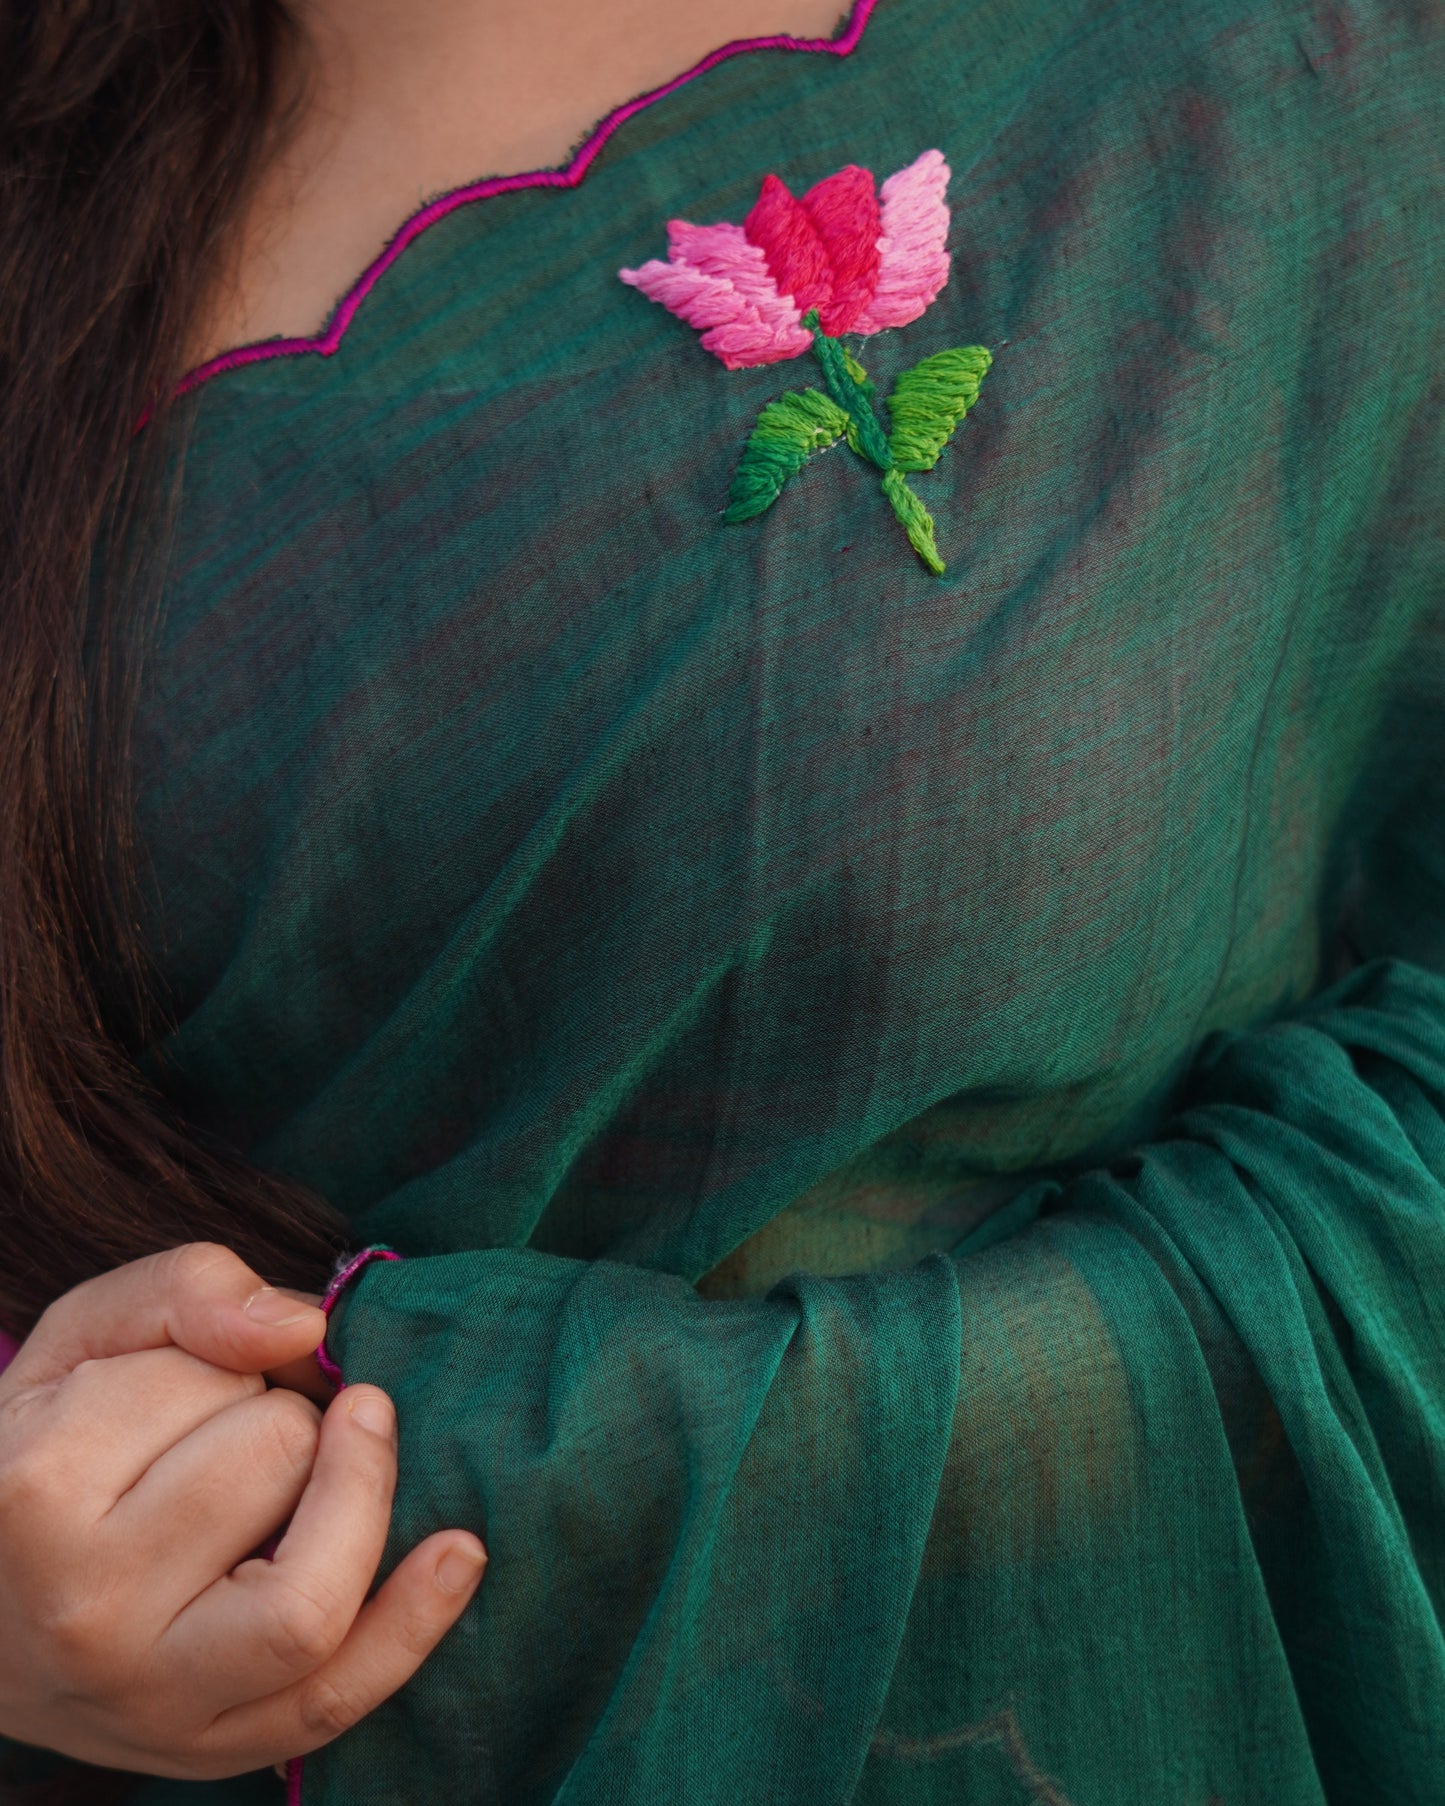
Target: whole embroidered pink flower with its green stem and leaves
(797, 275)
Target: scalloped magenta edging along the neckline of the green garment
(499, 185)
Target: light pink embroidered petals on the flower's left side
(720, 284)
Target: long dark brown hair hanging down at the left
(131, 136)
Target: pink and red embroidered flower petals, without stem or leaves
(862, 261)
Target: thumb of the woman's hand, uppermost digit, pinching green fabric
(200, 1298)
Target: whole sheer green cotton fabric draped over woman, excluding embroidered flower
(913, 1106)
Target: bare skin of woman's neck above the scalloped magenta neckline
(407, 98)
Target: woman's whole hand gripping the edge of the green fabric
(142, 1460)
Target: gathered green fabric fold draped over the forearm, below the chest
(1189, 1413)
